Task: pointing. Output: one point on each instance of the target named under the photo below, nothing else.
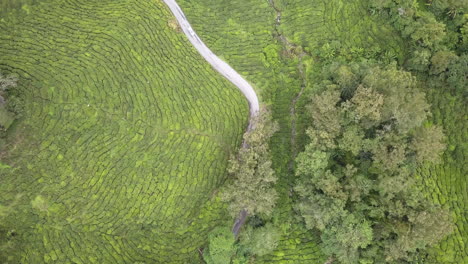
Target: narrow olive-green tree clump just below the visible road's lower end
(253, 186)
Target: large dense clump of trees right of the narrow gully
(356, 177)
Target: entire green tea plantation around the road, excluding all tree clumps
(122, 148)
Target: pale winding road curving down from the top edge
(221, 66)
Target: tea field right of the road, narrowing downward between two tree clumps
(248, 36)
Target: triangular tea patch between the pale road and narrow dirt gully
(239, 32)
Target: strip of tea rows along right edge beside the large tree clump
(447, 183)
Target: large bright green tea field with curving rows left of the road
(125, 136)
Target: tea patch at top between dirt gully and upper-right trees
(313, 23)
